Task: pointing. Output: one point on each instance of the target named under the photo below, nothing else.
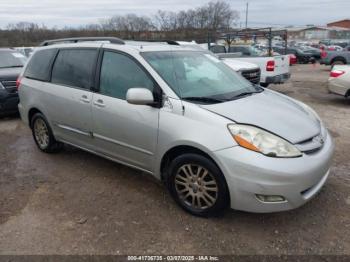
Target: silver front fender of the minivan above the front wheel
(187, 124)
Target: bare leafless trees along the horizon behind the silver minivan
(192, 24)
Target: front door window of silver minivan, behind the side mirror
(119, 73)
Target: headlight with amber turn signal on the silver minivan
(261, 141)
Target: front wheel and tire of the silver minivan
(197, 185)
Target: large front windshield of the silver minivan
(199, 76)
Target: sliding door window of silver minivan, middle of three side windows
(74, 67)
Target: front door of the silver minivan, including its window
(121, 130)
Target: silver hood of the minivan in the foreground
(273, 112)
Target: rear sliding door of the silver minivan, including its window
(70, 96)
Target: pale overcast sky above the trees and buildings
(62, 13)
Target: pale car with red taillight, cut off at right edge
(339, 80)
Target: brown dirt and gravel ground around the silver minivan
(77, 203)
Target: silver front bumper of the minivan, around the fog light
(296, 179)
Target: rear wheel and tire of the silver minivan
(42, 134)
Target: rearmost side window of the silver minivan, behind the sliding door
(40, 64)
